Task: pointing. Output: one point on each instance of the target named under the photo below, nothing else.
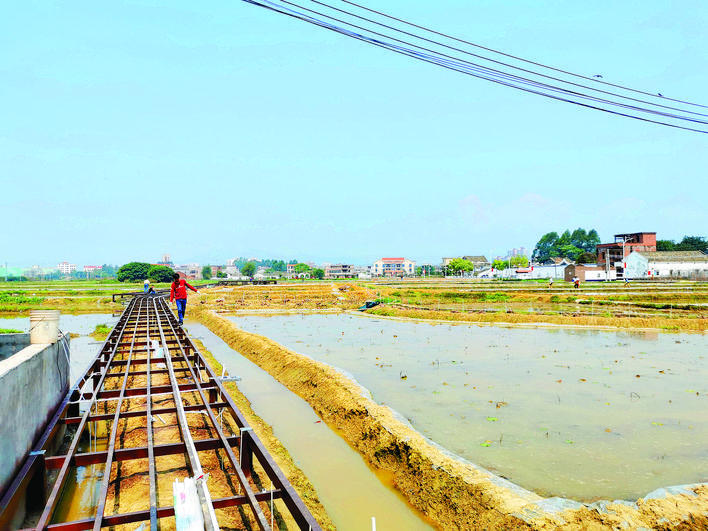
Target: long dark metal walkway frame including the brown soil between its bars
(153, 412)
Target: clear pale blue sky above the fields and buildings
(209, 130)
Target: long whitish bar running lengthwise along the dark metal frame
(210, 521)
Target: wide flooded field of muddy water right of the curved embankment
(584, 414)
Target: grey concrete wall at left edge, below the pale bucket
(33, 383)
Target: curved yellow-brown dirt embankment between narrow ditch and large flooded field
(453, 493)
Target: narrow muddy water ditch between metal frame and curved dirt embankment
(350, 492)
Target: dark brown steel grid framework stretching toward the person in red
(147, 344)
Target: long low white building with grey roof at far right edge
(666, 264)
